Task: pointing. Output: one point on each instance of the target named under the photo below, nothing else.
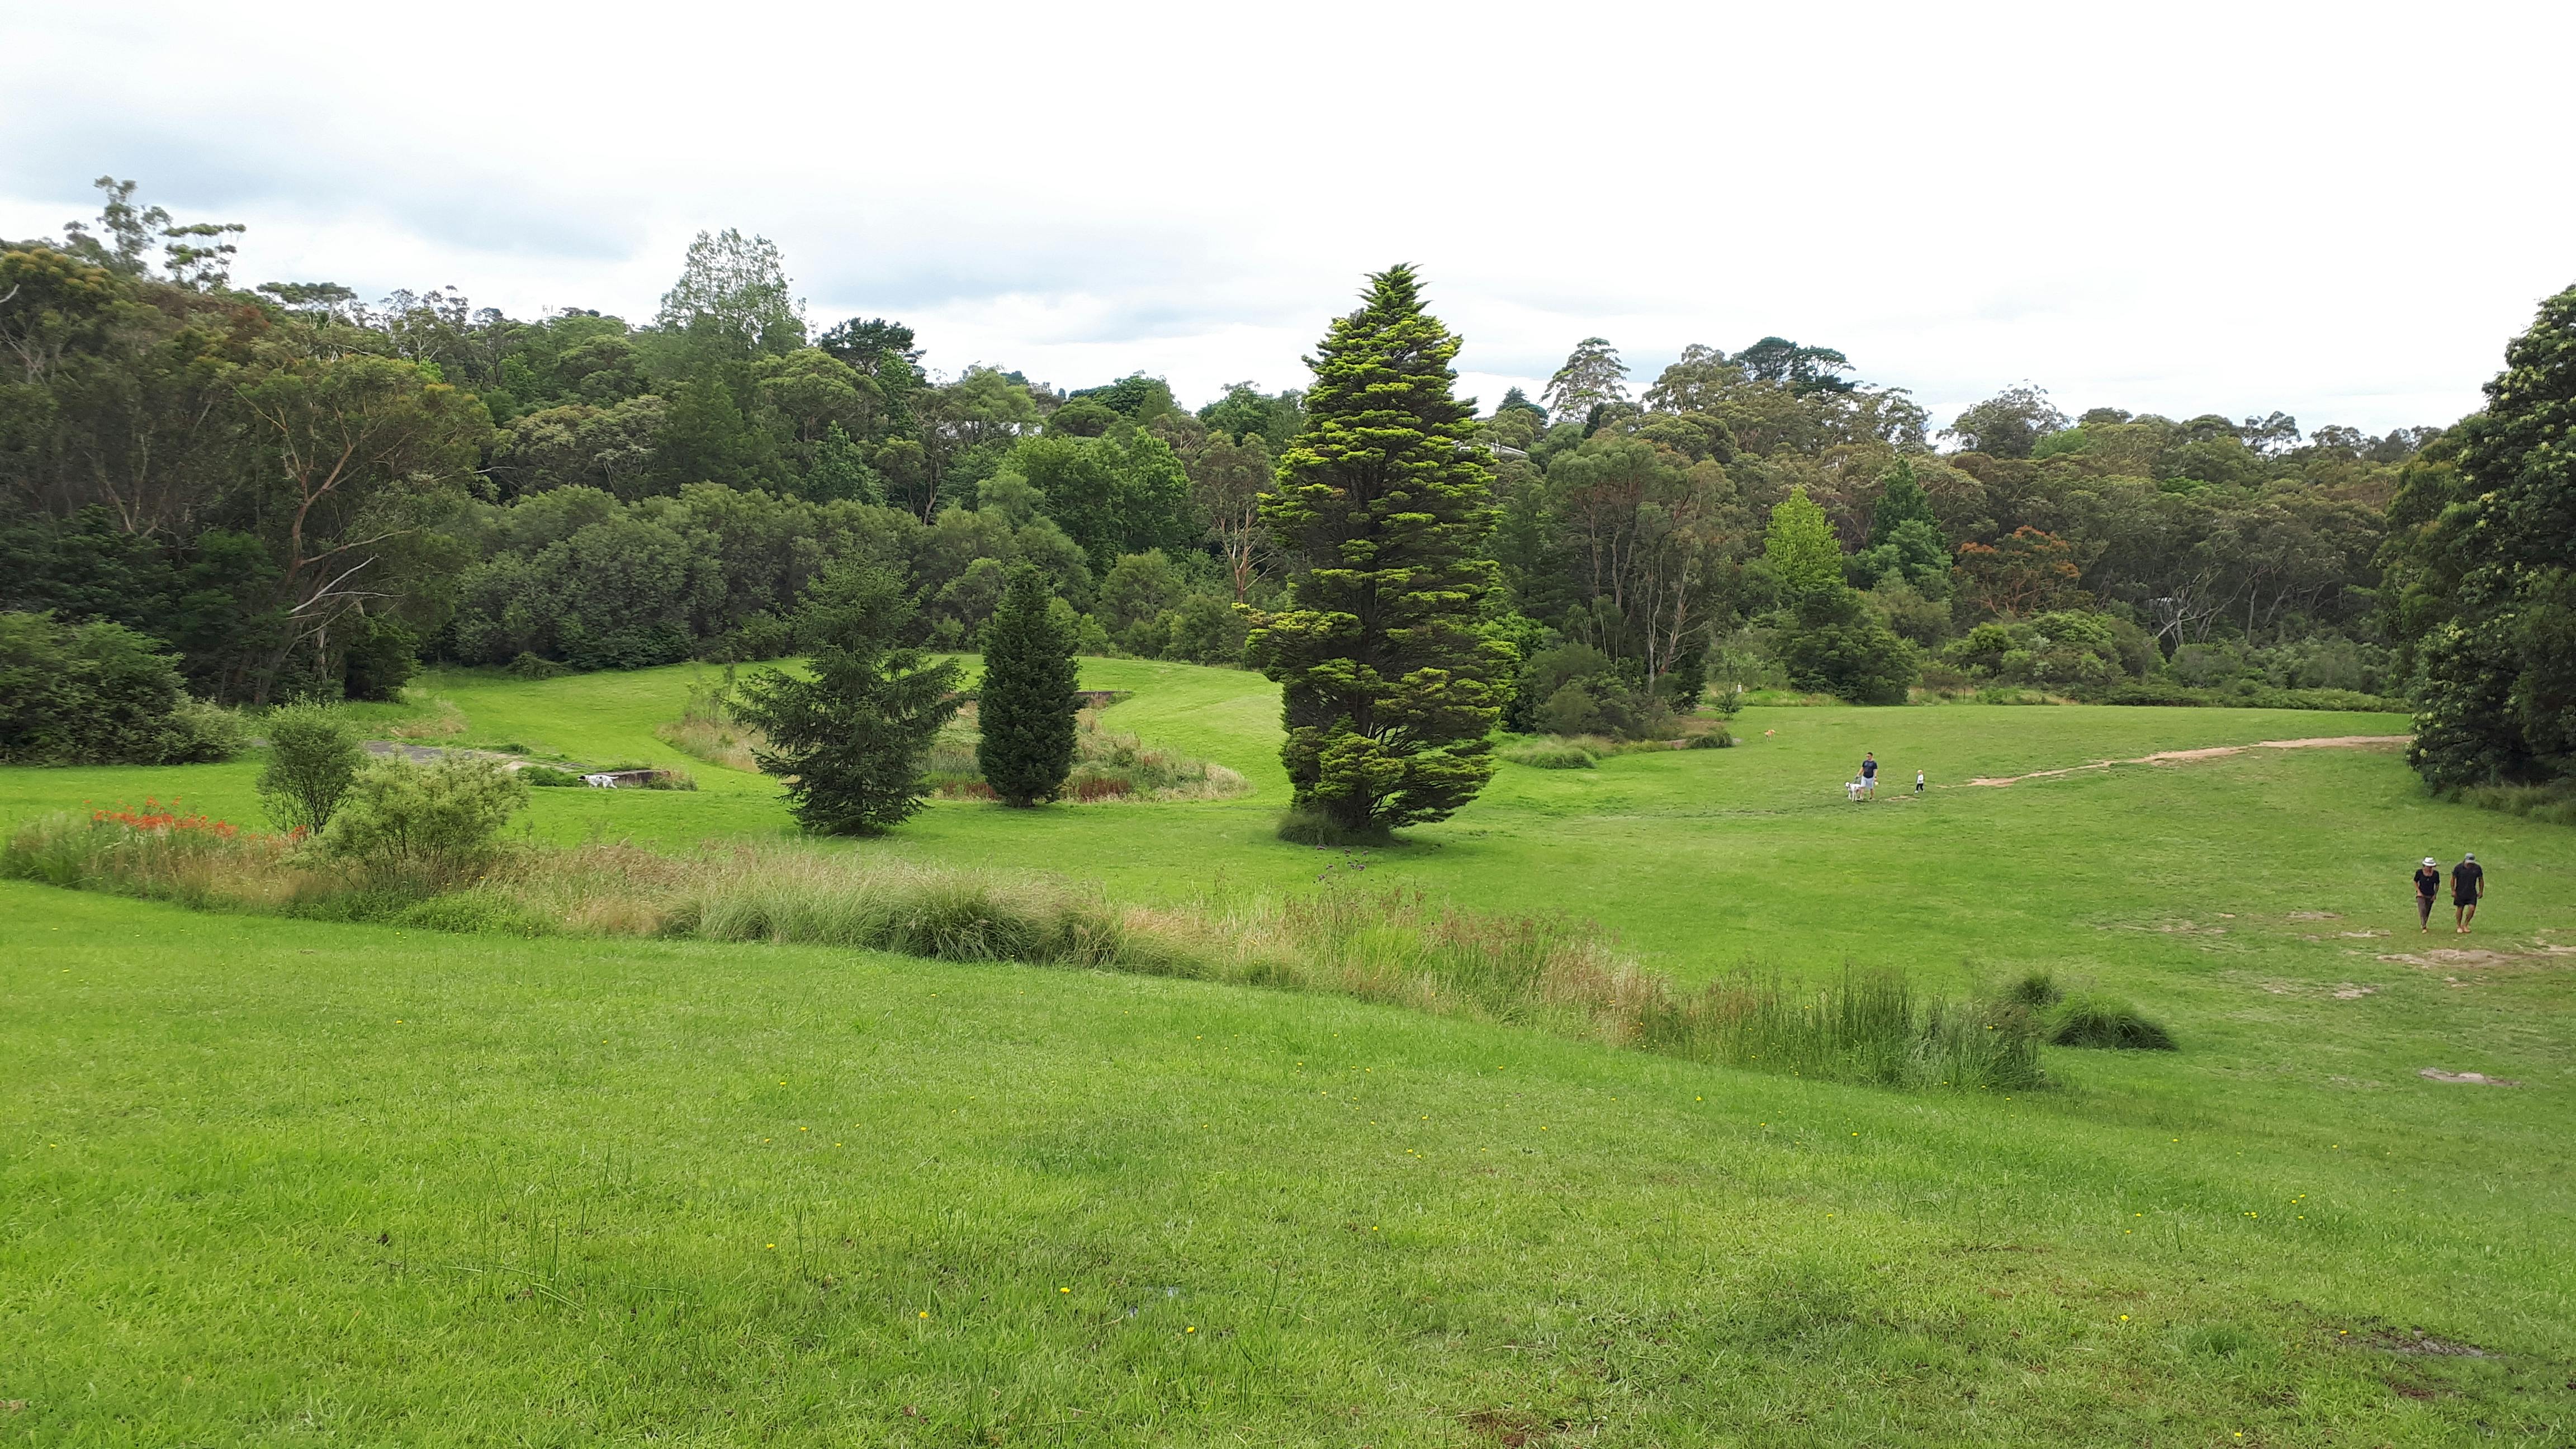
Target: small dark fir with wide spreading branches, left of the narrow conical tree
(851, 741)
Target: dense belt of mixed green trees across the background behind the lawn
(305, 494)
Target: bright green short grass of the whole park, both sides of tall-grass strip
(292, 1182)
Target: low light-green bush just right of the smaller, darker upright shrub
(424, 824)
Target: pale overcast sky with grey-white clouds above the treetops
(2333, 210)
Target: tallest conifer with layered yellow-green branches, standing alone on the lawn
(1382, 507)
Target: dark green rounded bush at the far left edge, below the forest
(99, 695)
